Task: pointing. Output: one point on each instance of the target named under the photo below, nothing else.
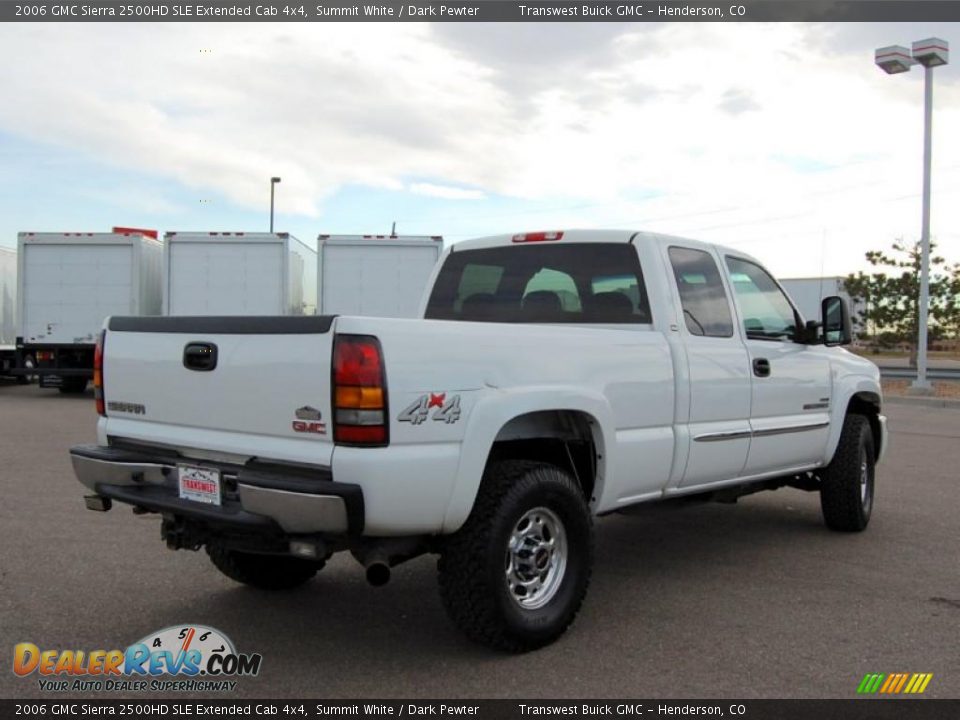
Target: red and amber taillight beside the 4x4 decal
(359, 391)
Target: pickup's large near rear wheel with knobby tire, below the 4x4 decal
(515, 575)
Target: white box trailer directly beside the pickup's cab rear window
(375, 275)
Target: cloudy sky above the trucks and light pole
(781, 139)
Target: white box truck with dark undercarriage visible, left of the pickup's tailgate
(68, 284)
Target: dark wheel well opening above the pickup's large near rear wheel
(564, 438)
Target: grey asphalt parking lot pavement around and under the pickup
(755, 599)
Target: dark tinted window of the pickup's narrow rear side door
(706, 310)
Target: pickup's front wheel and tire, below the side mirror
(847, 483)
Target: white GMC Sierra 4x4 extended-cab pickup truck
(555, 377)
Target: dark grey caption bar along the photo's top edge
(484, 11)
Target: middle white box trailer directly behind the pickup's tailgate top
(238, 273)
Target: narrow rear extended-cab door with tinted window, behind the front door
(719, 419)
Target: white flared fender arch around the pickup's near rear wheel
(494, 409)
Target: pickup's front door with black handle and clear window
(791, 387)
